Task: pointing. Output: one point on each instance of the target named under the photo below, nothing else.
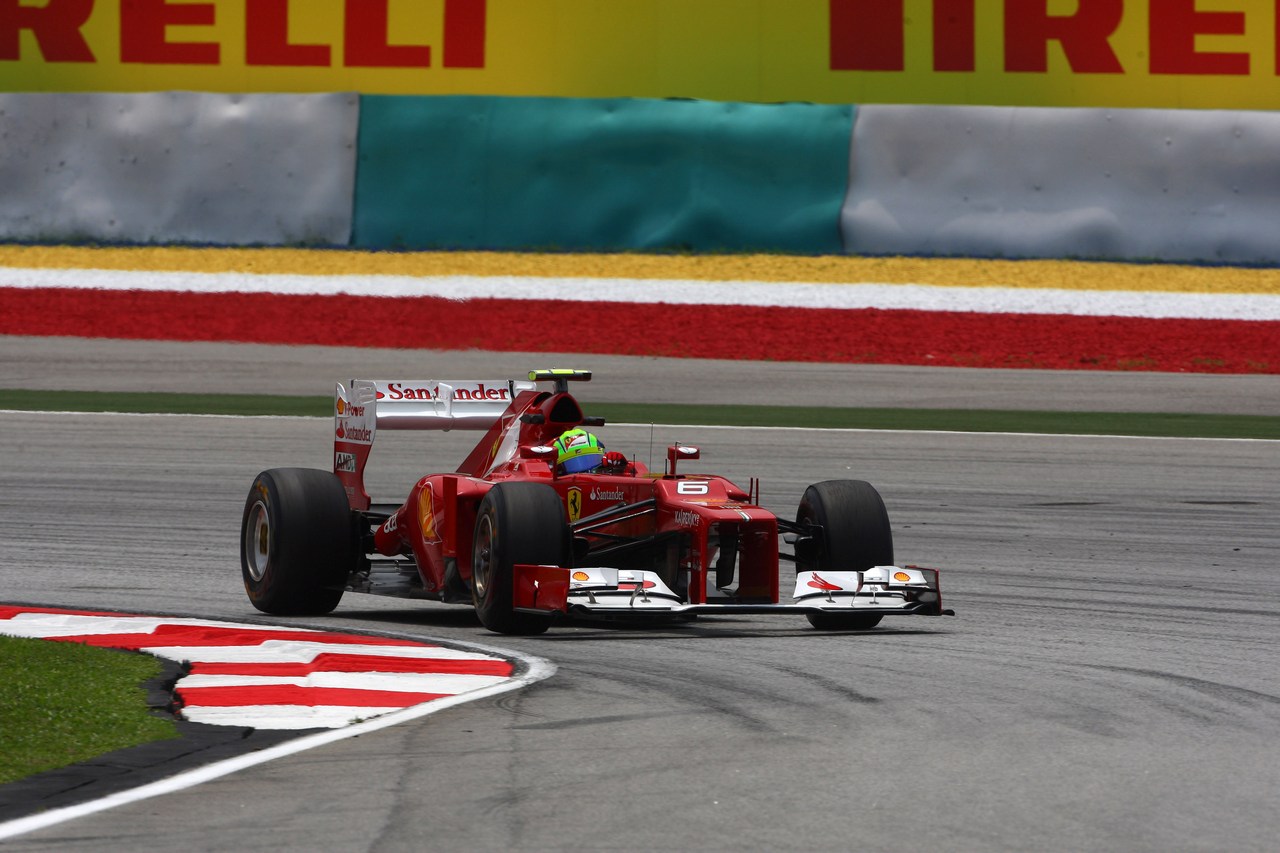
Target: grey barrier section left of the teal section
(179, 167)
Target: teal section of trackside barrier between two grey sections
(537, 174)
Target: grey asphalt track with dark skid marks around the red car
(1110, 682)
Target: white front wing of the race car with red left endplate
(881, 590)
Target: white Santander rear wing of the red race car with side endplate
(368, 405)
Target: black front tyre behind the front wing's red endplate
(518, 523)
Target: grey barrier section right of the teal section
(1022, 183)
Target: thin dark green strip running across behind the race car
(1174, 426)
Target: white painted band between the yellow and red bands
(871, 295)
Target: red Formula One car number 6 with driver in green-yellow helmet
(537, 526)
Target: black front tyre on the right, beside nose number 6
(854, 536)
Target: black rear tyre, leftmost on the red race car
(298, 542)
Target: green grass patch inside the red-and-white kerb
(62, 704)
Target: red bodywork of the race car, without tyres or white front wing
(678, 526)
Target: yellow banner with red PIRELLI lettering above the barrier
(1206, 54)
